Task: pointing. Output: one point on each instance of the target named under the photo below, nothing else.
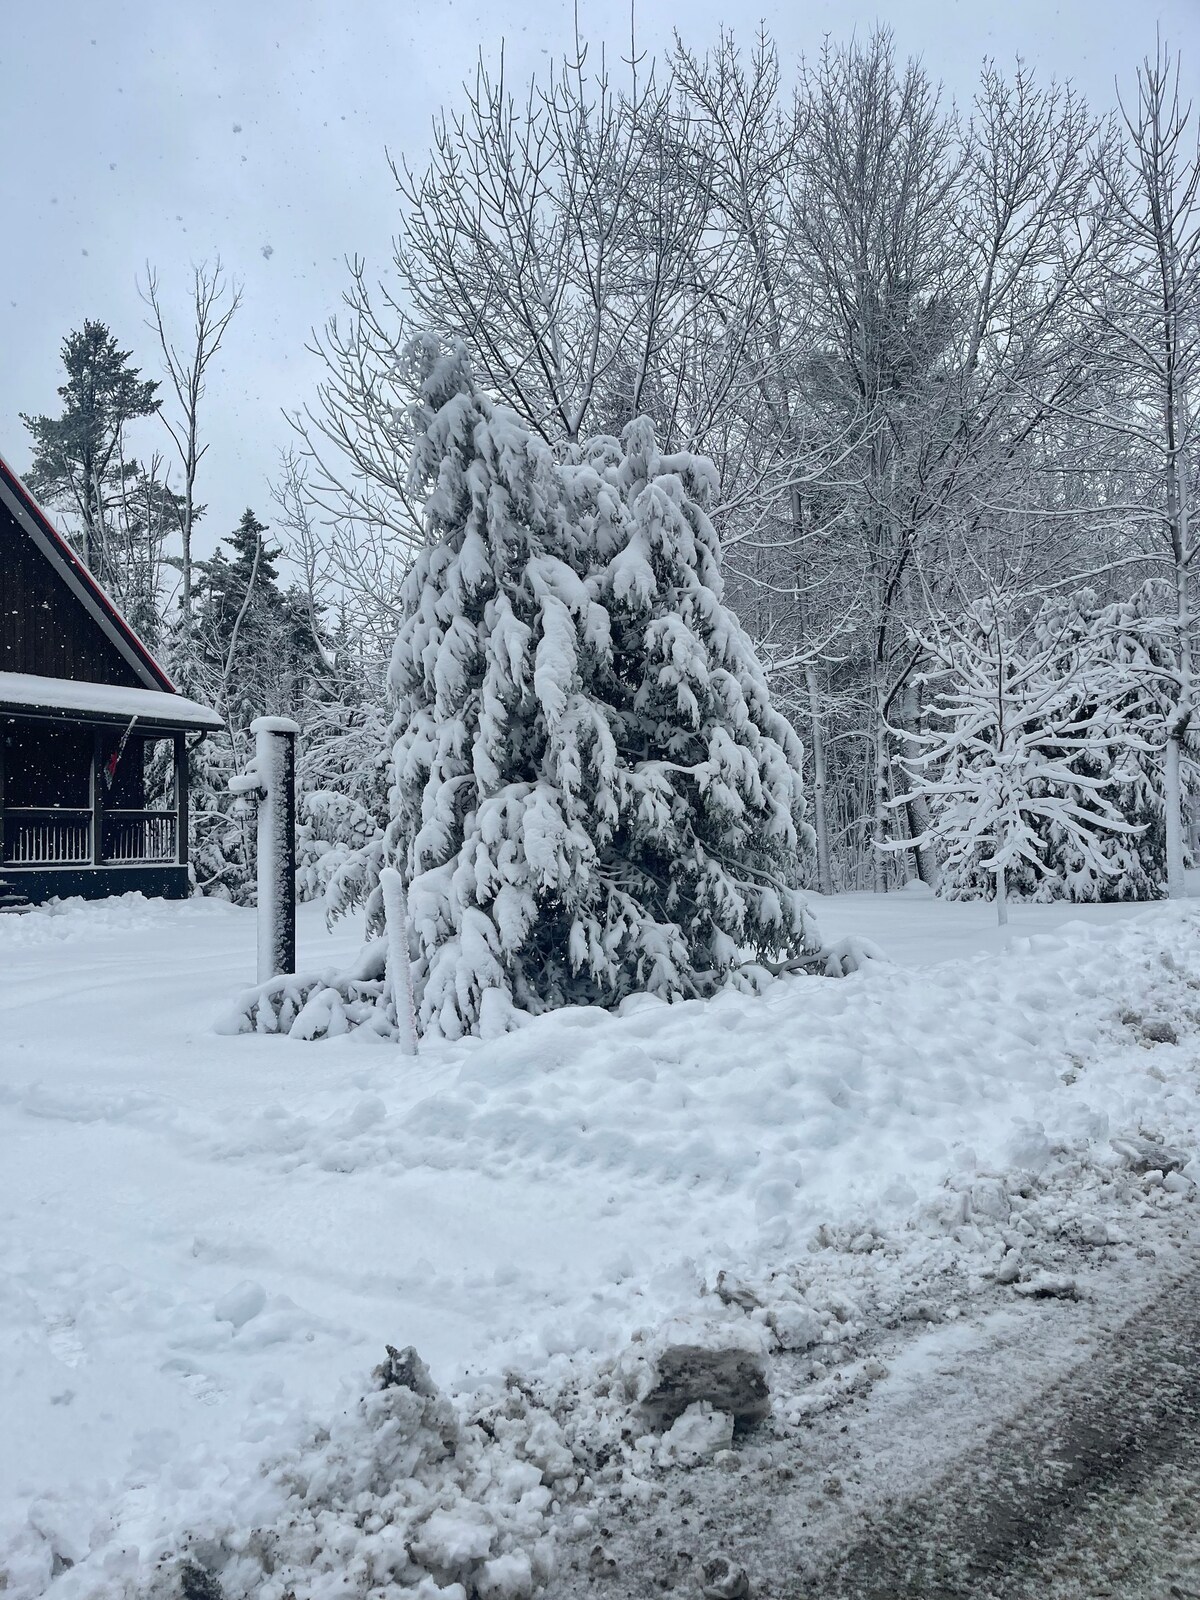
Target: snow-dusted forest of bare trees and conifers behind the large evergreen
(945, 362)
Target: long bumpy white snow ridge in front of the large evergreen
(772, 1114)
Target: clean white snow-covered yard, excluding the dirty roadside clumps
(207, 1241)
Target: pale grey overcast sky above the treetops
(178, 130)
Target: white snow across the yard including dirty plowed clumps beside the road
(233, 1220)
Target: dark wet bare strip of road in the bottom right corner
(1026, 1513)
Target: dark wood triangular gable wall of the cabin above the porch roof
(44, 630)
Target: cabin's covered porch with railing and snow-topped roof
(94, 788)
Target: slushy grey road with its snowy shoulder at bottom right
(1046, 1449)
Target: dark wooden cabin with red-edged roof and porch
(94, 735)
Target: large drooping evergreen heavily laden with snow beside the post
(593, 794)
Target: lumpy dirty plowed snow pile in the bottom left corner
(396, 1494)
